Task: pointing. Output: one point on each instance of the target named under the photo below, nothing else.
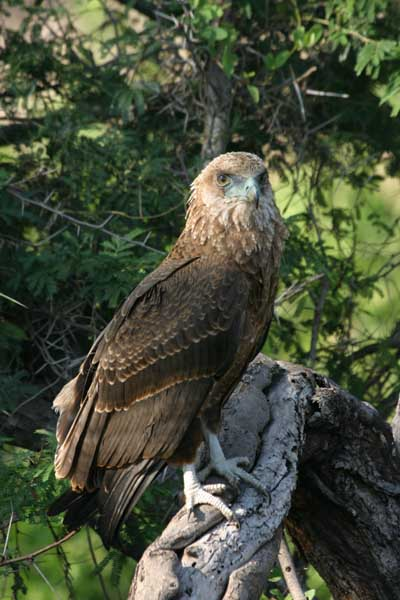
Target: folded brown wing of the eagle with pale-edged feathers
(148, 374)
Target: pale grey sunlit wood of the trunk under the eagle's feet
(218, 561)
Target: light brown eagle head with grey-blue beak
(231, 202)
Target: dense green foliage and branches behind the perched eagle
(104, 112)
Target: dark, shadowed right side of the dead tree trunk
(345, 515)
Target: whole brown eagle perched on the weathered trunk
(153, 384)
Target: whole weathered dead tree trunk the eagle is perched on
(330, 464)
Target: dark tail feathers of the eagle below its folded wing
(110, 505)
